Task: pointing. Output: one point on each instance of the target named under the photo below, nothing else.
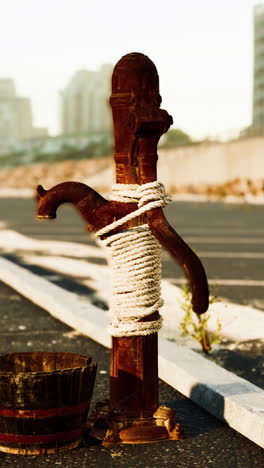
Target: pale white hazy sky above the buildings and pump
(202, 49)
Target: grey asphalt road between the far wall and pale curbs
(227, 237)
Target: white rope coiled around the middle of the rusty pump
(136, 262)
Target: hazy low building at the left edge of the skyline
(15, 118)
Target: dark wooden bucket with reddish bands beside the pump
(44, 401)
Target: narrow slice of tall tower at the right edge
(258, 99)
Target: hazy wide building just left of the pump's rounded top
(85, 102)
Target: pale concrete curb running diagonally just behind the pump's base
(228, 397)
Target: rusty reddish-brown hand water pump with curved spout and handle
(133, 414)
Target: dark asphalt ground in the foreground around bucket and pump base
(208, 443)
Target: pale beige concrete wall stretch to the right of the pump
(212, 163)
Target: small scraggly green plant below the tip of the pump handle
(196, 326)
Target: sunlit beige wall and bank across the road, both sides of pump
(211, 164)
